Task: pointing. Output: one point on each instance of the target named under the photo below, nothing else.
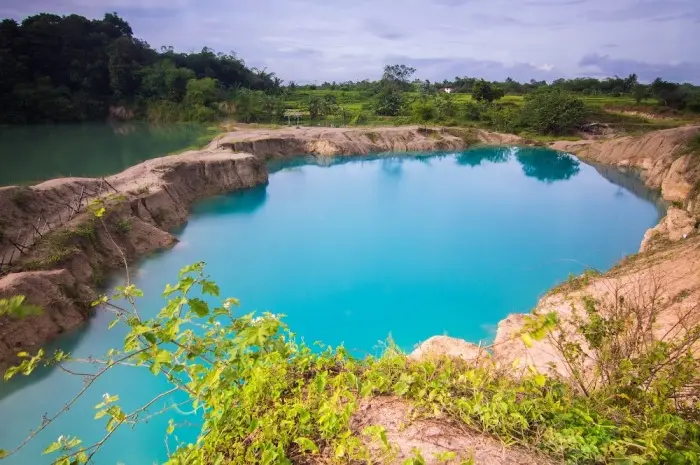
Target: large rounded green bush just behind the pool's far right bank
(553, 112)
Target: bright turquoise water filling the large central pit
(356, 251)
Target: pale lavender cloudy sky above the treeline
(332, 40)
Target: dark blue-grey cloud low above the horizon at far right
(607, 66)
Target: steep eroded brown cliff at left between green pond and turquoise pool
(61, 270)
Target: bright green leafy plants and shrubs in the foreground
(265, 398)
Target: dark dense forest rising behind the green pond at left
(70, 68)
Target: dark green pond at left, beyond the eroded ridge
(36, 153)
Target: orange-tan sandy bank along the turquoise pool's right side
(668, 265)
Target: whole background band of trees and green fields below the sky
(69, 68)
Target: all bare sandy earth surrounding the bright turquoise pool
(61, 270)
